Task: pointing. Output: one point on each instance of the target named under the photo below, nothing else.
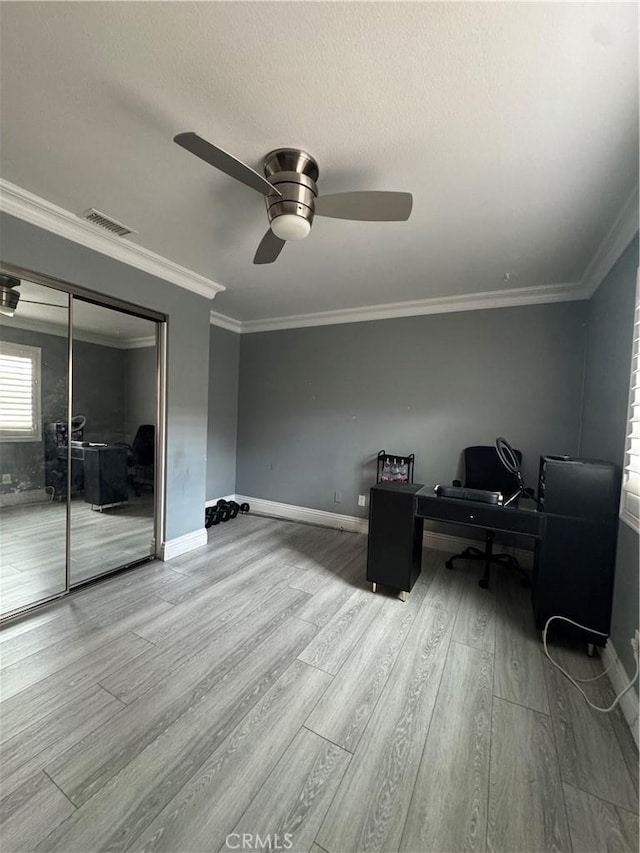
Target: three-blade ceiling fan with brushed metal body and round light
(291, 194)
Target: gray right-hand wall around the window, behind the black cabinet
(604, 422)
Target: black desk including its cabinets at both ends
(573, 563)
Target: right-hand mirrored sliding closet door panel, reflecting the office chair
(114, 394)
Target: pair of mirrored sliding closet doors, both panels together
(80, 389)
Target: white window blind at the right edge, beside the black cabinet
(630, 503)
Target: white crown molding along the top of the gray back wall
(537, 295)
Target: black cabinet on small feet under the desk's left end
(394, 551)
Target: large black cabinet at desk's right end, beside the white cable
(575, 558)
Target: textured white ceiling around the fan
(515, 126)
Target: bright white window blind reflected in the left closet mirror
(19, 393)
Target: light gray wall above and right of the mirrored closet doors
(37, 250)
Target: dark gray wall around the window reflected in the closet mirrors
(98, 395)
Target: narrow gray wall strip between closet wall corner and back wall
(224, 359)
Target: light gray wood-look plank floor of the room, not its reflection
(257, 687)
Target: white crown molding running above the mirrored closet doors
(24, 205)
